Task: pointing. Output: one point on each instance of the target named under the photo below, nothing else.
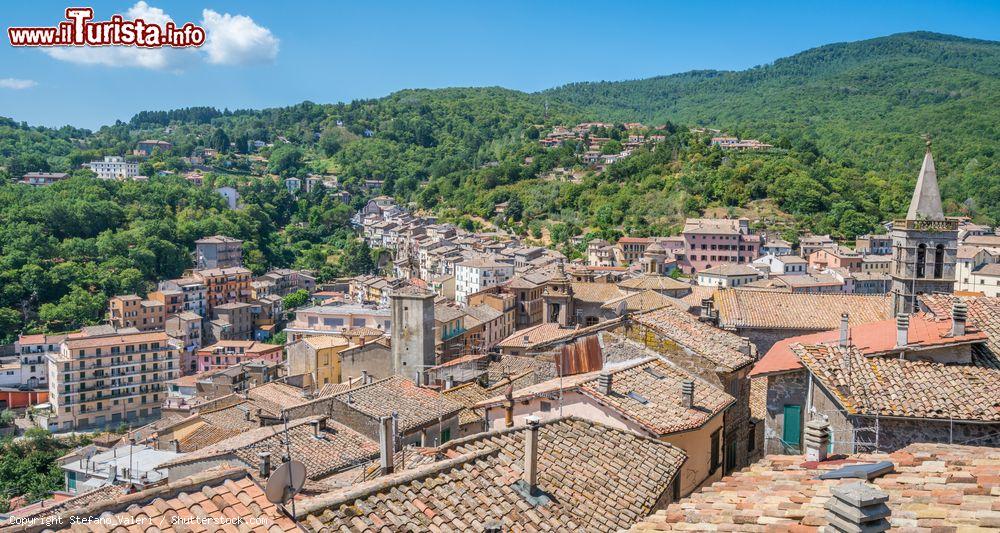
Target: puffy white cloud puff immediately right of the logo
(237, 40)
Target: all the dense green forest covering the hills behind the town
(846, 121)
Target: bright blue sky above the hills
(338, 51)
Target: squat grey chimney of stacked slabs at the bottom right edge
(858, 507)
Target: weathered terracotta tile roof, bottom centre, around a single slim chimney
(598, 479)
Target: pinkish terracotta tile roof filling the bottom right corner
(935, 487)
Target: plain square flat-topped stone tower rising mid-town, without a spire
(412, 332)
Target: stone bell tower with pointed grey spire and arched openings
(924, 245)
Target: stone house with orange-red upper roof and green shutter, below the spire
(928, 378)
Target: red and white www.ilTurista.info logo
(79, 30)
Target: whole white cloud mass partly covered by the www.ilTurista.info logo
(231, 40)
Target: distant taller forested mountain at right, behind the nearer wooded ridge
(862, 103)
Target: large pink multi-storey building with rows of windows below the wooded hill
(710, 242)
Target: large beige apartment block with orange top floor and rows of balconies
(103, 377)
